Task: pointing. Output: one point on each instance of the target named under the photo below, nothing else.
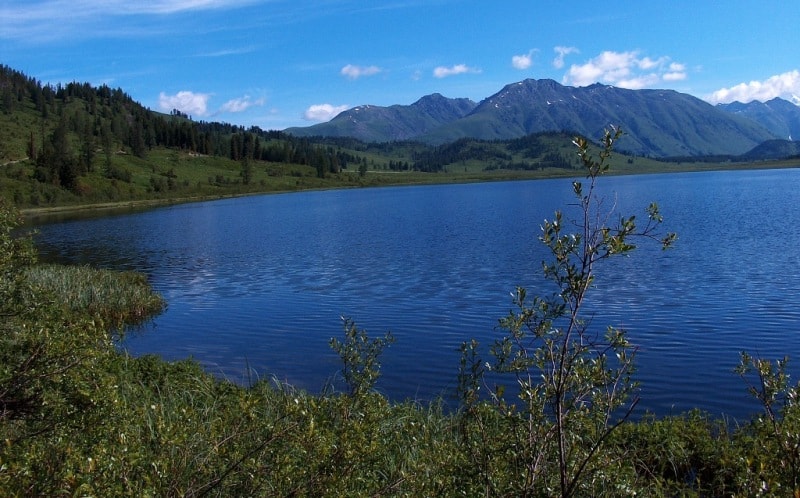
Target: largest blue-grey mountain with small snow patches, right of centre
(658, 123)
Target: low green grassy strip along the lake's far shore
(169, 176)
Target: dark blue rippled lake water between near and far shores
(256, 286)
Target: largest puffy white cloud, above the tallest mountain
(625, 70)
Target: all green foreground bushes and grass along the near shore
(77, 417)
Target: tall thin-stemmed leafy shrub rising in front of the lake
(573, 386)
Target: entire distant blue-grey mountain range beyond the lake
(657, 123)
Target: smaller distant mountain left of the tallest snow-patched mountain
(398, 122)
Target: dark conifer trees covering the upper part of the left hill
(78, 121)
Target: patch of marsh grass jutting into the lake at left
(116, 298)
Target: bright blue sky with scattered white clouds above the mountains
(282, 63)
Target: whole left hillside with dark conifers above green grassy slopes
(78, 144)
